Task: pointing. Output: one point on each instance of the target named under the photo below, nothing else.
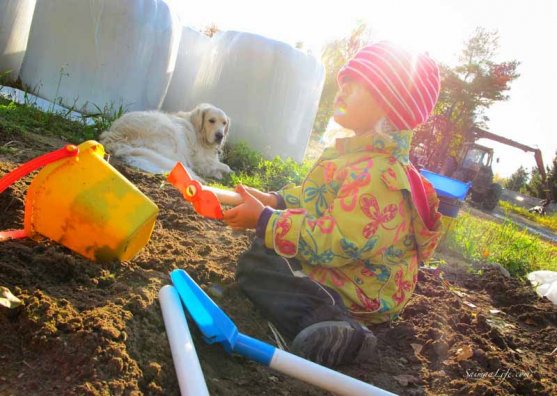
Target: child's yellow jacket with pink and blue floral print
(353, 226)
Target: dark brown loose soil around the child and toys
(96, 328)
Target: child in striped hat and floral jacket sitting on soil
(343, 248)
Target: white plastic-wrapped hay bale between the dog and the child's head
(270, 90)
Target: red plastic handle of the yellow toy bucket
(69, 150)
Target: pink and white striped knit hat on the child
(406, 86)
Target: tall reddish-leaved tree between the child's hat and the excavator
(467, 90)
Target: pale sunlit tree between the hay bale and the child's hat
(335, 54)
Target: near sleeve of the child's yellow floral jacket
(364, 219)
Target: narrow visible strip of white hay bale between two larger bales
(193, 46)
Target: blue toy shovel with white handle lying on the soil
(217, 327)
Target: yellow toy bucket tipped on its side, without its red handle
(86, 205)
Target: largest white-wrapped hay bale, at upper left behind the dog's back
(88, 53)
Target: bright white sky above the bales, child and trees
(527, 30)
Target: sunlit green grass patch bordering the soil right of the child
(504, 243)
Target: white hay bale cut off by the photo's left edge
(15, 23)
